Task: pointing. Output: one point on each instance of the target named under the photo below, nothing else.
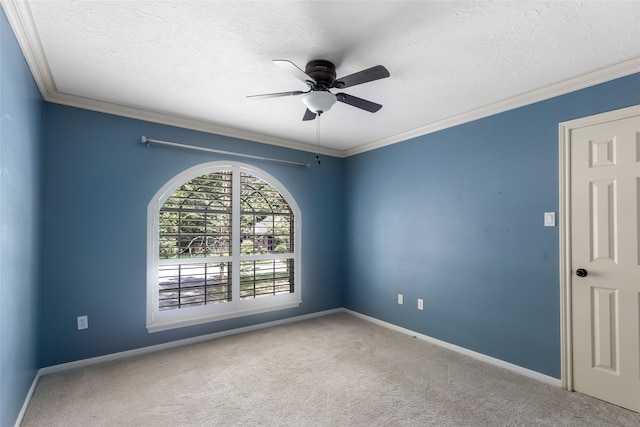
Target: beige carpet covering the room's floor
(336, 370)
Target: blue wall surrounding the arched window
(98, 181)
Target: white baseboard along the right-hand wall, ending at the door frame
(479, 356)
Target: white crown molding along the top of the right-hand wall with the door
(622, 69)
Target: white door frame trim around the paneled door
(566, 327)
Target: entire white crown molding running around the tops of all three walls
(21, 21)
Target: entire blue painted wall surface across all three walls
(454, 217)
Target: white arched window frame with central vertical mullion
(158, 320)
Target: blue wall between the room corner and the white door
(456, 218)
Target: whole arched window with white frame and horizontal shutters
(223, 242)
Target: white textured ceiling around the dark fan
(194, 62)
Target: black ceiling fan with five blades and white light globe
(320, 77)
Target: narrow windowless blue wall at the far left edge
(20, 109)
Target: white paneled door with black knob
(605, 241)
